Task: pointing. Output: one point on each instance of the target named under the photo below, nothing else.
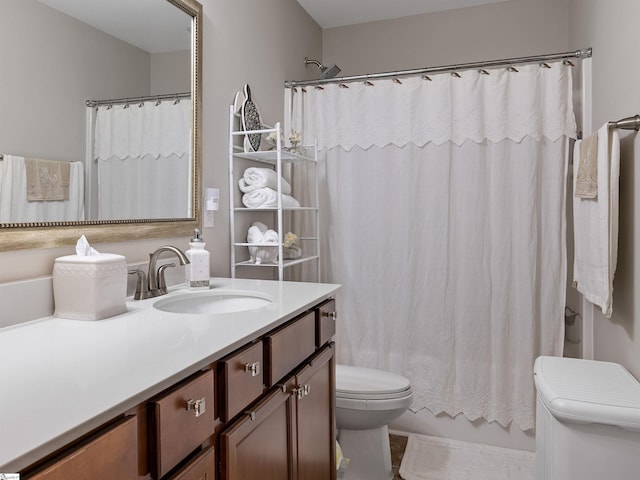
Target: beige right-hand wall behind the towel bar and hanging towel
(610, 28)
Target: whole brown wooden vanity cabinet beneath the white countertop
(265, 411)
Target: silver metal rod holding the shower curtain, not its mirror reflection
(583, 53)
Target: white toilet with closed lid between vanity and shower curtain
(366, 401)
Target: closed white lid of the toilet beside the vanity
(357, 382)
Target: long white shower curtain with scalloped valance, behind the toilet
(443, 205)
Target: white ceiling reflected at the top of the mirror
(151, 25)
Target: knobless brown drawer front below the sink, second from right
(288, 346)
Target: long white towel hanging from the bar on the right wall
(595, 225)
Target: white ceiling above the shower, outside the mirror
(338, 13)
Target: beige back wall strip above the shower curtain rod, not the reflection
(510, 29)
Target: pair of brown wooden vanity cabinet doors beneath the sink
(289, 434)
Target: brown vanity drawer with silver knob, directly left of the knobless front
(240, 380)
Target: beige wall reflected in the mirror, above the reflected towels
(51, 64)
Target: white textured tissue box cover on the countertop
(90, 287)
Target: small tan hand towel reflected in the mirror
(47, 180)
